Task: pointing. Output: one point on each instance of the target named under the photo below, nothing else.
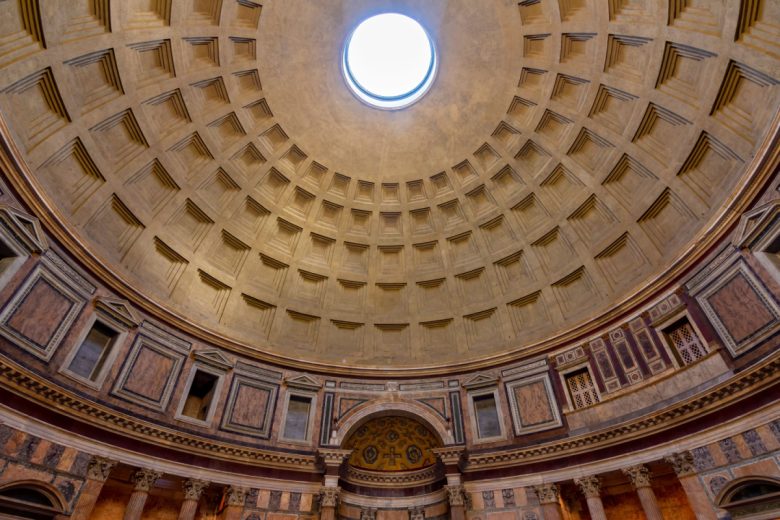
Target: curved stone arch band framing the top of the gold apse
(381, 408)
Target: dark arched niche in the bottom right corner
(751, 498)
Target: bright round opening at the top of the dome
(389, 61)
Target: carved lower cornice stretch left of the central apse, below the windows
(35, 388)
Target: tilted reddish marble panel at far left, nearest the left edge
(40, 313)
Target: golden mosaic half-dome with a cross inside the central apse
(392, 444)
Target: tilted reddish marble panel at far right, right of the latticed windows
(740, 308)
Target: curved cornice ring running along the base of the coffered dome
(753, 181)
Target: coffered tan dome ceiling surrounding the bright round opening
(216, 169)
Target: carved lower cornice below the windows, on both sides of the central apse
(21, 382)
